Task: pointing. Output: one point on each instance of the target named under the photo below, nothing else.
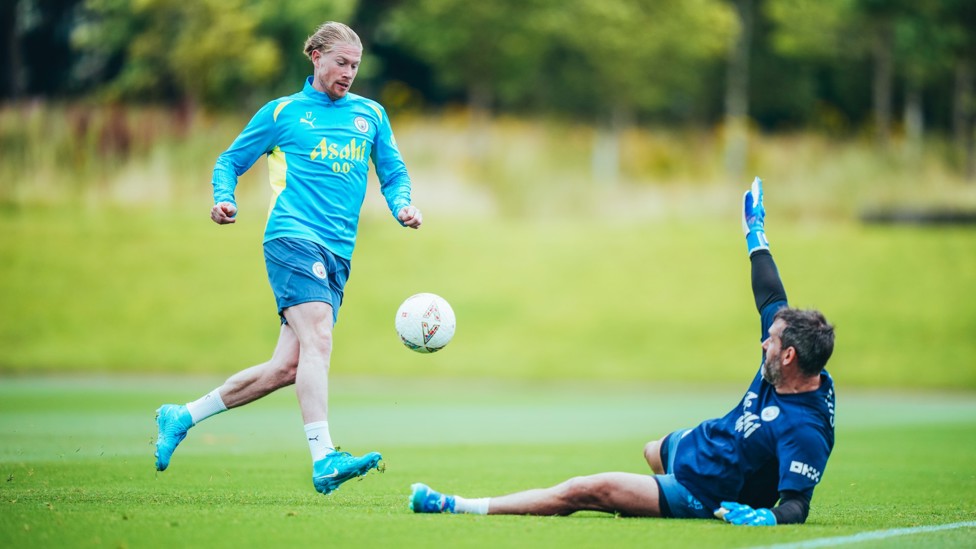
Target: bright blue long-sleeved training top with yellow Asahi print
(318, 160)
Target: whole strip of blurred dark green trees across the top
(593, 59)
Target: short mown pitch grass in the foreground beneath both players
(75, 455)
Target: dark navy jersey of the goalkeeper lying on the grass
(767, 444)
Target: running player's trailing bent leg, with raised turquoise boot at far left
(173, 421)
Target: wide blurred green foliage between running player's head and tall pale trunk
(635, 54)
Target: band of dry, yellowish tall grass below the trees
(108, 155)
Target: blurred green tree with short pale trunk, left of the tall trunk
(620, 59)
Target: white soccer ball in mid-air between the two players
(425, 323)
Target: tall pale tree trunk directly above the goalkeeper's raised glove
(737, 94)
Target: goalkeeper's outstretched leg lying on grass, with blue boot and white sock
(628, 494)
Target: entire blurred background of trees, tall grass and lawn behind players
(580, 165)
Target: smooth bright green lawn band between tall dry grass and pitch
(159, 291)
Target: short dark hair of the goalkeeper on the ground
(809, 333)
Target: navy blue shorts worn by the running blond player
(301, 271)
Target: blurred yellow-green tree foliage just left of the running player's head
(212, 52)
